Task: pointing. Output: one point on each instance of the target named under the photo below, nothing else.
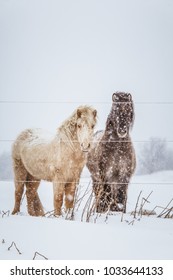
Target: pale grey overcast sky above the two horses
(80, 52)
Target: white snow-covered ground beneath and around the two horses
(86, 235)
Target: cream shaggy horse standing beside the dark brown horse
(59, 159)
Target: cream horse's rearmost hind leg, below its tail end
(20, 175)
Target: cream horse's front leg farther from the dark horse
(58, 189)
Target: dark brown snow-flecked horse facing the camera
(111, 160)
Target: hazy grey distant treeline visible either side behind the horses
(153, 156)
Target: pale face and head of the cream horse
(85, 123)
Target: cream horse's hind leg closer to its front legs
(34, 205)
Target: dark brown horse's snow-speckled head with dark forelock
(121, 117)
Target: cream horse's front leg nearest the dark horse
(70, 189)
